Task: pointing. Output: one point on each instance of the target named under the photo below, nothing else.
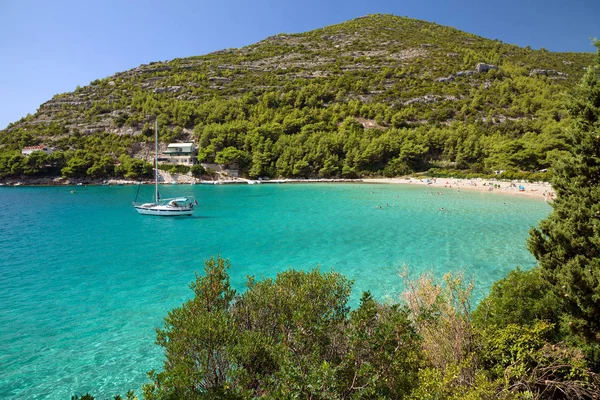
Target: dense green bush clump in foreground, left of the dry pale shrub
(289, 337)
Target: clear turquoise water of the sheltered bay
(85, 280)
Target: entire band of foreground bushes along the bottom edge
(295, 337)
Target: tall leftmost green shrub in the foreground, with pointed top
(195, 338)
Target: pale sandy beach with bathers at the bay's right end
(540, 190)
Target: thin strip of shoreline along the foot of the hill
(539, 190)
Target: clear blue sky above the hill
(49, 47)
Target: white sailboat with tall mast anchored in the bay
(183, 205)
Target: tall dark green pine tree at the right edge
(567, 243)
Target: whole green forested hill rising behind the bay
(377, 95)
